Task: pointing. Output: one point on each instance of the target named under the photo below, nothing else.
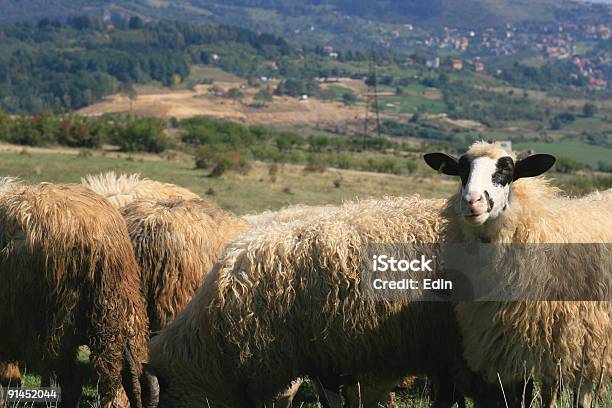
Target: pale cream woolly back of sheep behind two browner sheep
(122, 190)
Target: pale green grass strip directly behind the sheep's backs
(233, 191)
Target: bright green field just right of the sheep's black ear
(581, 152)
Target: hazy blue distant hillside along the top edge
(328, 16)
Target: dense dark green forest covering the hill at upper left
(61, 66)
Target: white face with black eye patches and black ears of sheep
(485, 182)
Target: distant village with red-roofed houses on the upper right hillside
(572, 41)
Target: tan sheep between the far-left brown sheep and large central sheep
(176, 241)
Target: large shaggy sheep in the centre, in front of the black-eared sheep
(285, 301)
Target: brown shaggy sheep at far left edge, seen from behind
(69, 277)
